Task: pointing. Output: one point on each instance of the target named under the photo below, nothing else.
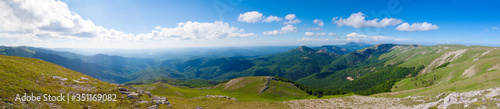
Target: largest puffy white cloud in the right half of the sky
(357, 20)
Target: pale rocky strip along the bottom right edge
(486, 98)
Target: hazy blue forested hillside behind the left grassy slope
(113, 69)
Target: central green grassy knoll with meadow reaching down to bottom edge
(245, 89)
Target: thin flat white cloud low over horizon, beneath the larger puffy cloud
(361, 38)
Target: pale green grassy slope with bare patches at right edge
(450, 78)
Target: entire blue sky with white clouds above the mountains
(137, 24)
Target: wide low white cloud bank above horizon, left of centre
(196, 30)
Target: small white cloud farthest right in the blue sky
(417, 27)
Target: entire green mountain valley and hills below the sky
(378, 76)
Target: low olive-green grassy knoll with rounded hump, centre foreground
(247, 89)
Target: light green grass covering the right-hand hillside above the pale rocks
(451, 78)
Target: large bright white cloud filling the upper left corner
(49, 19)
